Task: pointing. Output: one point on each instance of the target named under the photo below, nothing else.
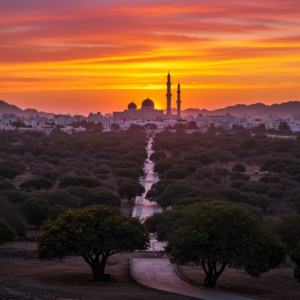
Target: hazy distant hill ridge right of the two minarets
(258, 109)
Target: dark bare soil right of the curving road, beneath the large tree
(278, 284)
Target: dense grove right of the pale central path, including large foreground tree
(205, 171)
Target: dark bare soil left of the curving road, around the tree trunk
(70, 278)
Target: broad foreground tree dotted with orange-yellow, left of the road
(94, 233)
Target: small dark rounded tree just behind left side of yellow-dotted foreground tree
(36, 211)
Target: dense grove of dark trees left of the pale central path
(42, 176)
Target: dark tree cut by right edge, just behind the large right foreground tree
(288, 230)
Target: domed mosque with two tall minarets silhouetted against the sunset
(148, 113)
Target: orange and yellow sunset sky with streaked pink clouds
(88, 56)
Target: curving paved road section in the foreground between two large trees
(160, 274)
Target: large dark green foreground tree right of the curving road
(213, 235)
